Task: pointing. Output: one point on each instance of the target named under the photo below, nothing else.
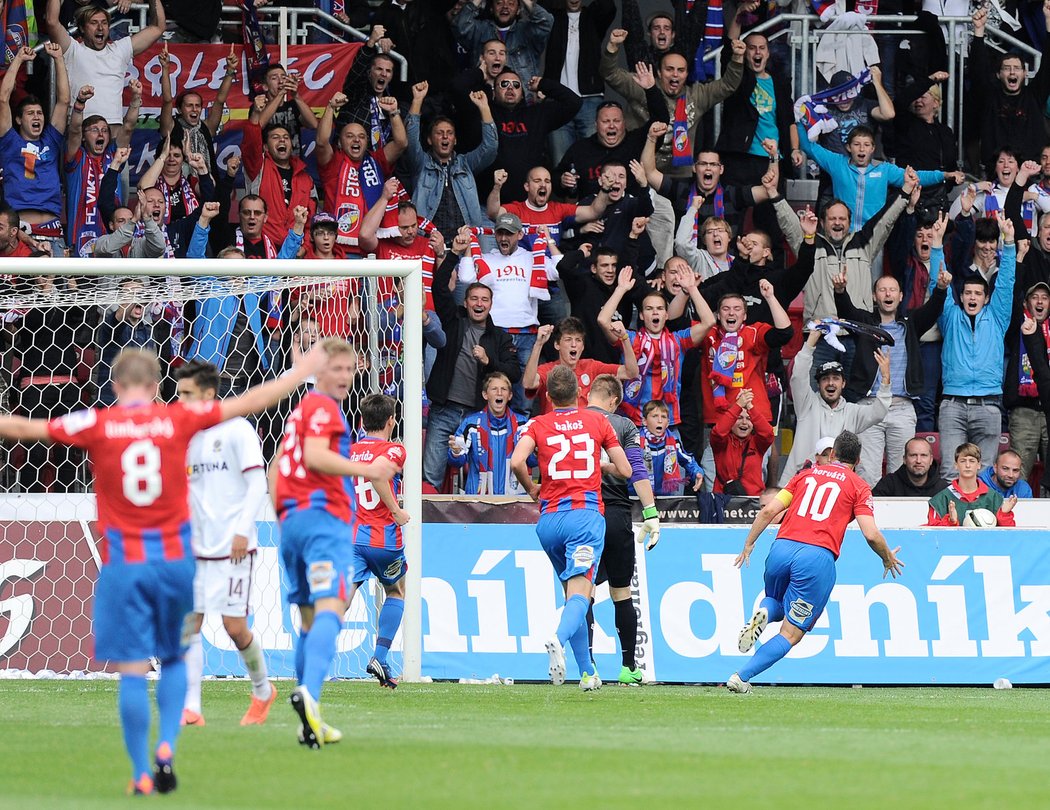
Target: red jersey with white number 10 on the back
(826, 499)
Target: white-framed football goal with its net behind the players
(65, 323)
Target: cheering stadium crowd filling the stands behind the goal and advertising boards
(608, 199)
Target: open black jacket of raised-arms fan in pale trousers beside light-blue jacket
(916, 325)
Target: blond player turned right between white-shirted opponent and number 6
(314, 508)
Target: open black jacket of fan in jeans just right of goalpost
(498, 345)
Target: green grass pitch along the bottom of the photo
(528, 746)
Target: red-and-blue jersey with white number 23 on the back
(569, 446)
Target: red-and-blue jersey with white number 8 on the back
(138, 454)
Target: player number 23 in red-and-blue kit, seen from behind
(569, 443)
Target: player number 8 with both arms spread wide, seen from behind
(145, 590)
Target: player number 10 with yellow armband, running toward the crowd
(822, 502)
